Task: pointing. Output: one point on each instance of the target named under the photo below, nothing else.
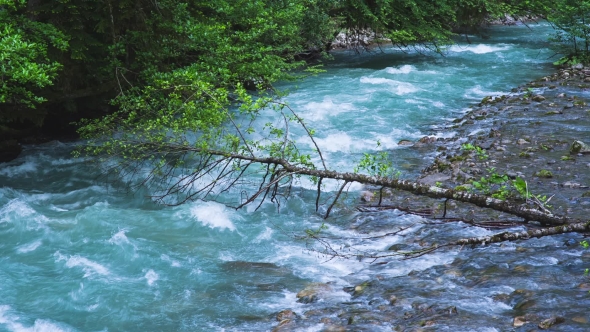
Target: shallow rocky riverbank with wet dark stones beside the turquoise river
(525, 134)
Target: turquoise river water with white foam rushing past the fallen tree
(78, 255)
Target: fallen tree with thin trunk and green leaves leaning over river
(180, 169)
